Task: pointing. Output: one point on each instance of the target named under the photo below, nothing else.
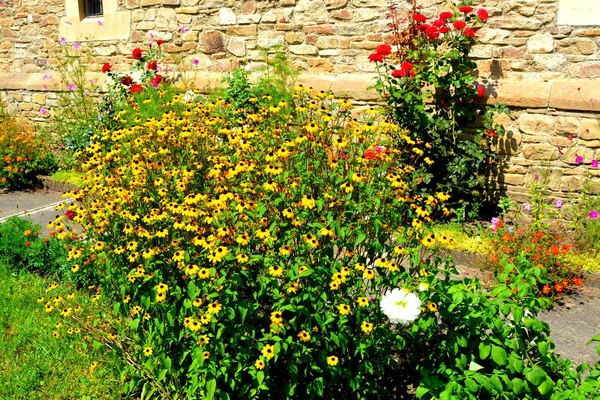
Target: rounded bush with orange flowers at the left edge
(23, 155)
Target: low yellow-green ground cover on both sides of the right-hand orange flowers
(470, 241)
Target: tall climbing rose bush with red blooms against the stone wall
(429, 87)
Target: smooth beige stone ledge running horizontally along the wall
(565, 94)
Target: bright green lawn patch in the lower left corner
(35, 365)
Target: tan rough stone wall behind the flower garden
(549, 73)
